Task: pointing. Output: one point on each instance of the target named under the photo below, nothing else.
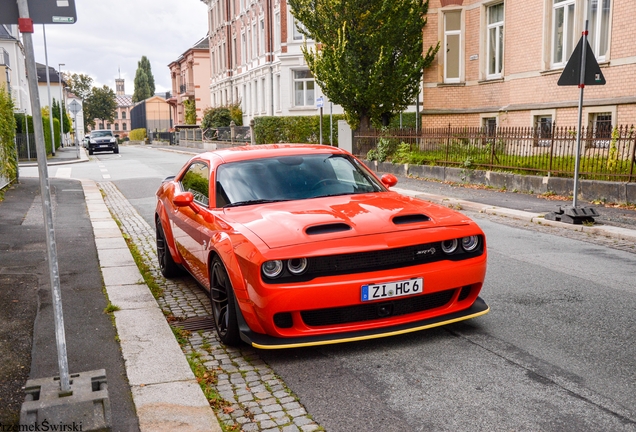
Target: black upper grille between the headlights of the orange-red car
(385, 259)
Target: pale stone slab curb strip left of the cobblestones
(166, 394)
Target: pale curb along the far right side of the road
(538, 218)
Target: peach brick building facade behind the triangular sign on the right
(500, 61)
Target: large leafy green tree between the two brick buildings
(369, 55)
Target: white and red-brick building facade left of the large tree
(256, 60)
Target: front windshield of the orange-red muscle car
(292, 178)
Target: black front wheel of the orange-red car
(223, 305)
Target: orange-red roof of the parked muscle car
(234, 154)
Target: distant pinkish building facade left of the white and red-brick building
(190, 75)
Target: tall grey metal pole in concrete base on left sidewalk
(26, 28)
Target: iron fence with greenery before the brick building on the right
(606, 153)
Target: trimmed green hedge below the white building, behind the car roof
(298, 129)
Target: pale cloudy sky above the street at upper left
(110, 37)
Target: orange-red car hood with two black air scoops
(298, 222)
